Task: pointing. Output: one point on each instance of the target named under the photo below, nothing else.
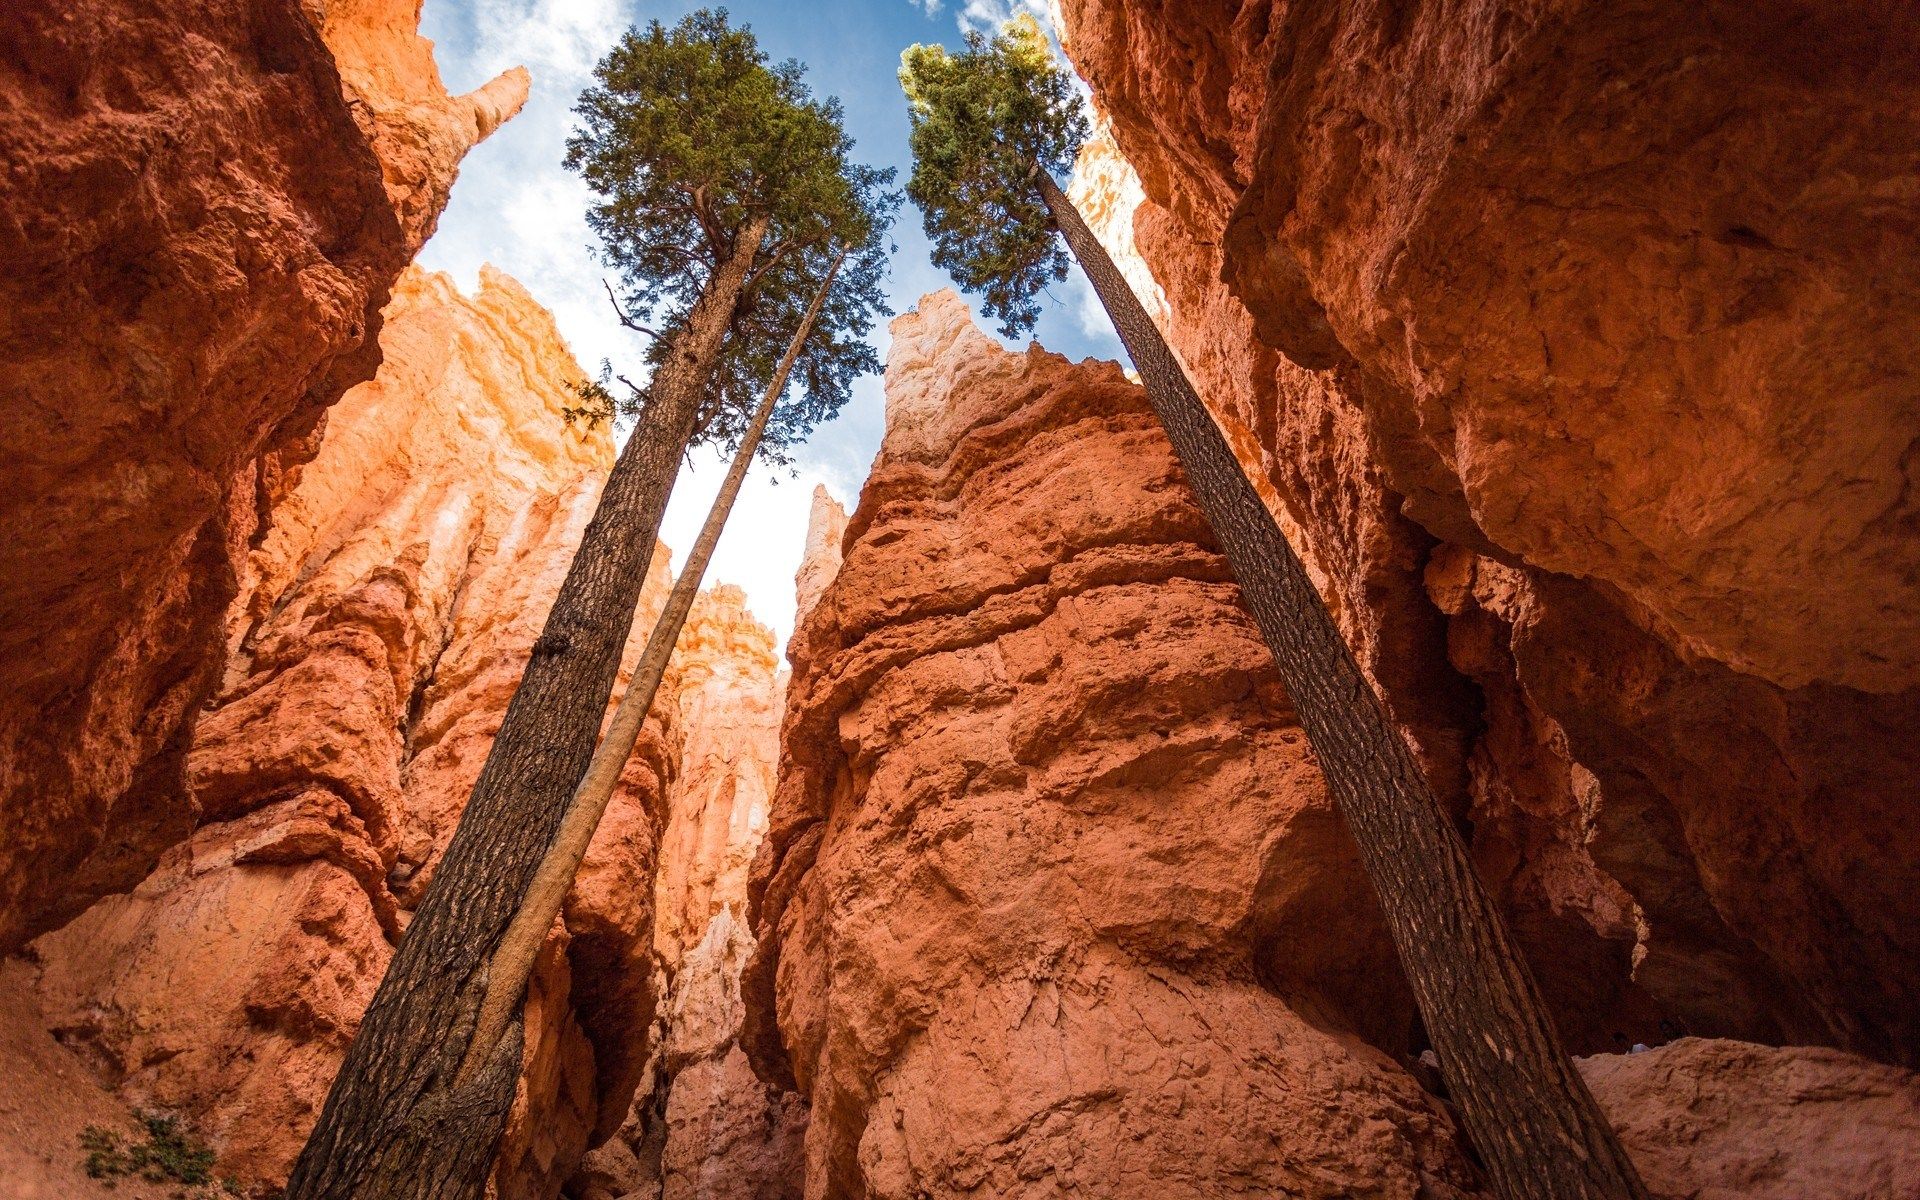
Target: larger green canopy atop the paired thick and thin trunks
(686, 135)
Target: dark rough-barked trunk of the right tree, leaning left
(1525, 1107)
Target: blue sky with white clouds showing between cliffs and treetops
(517, 208)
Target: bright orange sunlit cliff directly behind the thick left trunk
(381, 631)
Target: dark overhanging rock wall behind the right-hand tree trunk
(1573, 348)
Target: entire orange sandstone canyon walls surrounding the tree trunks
(1568, 343)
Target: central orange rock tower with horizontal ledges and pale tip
(1053, 880)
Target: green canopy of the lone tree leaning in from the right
(984, 122)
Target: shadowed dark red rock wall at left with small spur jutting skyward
(206, 210)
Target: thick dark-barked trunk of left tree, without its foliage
(396, 1126)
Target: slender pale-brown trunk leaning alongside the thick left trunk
(514, 961)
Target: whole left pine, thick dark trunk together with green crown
(721, 181)
